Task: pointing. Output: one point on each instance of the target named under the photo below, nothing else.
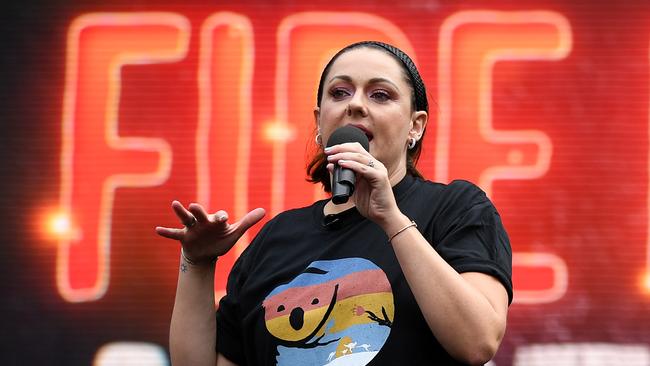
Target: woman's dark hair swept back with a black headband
(316, 169)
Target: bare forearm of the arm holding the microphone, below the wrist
(463, 320)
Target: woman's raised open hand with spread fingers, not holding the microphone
(204, 236)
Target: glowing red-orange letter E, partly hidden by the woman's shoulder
(471, 42)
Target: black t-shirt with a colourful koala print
(311, 290)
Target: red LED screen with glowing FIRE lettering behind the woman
(542, 103)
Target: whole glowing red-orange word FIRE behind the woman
(100, 44)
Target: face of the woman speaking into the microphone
(367, 88)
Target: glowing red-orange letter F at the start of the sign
(98, 46)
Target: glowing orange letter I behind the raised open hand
(225, 74)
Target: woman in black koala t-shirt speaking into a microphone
(406, 272)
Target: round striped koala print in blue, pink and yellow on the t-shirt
(330, 301)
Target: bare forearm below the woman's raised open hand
(192, 335)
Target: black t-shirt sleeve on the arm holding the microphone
(470, 236)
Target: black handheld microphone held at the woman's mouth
(343, 179)
